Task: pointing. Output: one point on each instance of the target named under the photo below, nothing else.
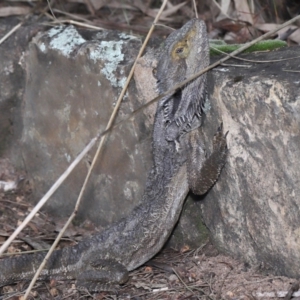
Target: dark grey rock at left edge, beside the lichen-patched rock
(12, 84)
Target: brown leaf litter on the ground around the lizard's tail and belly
(203, 273)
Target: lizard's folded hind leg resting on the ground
(102, 275)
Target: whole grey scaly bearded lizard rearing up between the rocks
(103, 260)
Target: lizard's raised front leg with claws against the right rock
(203, 172)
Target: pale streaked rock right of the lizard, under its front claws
(253, 210)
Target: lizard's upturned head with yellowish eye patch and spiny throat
(186, 52)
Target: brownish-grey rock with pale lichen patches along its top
(73, 81)
